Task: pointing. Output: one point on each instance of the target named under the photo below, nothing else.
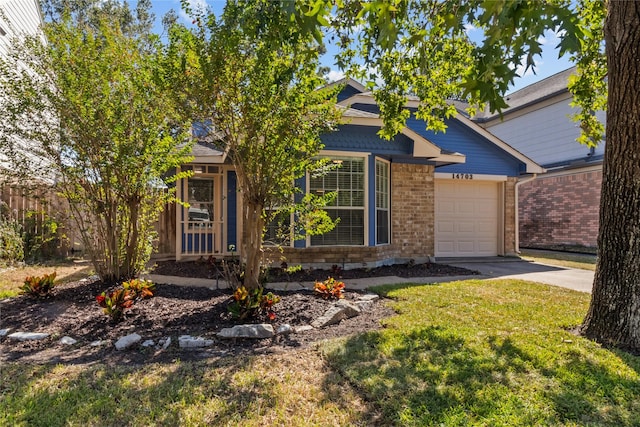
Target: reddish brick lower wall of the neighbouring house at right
(560, 210)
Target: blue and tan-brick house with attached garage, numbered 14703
(421, 195)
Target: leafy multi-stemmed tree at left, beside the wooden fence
(87, 103)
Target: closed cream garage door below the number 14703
(466, 218)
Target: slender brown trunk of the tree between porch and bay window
(252, 243)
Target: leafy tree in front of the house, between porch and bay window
(250, 76)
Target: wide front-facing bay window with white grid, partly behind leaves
(348, 181)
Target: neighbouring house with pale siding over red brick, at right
(560, 208)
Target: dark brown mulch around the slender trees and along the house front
(173, 311)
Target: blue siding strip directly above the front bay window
(365, 139)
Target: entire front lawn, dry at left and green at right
(484, 353)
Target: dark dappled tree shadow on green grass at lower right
(433, 376)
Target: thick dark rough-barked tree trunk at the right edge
(614, 314)
